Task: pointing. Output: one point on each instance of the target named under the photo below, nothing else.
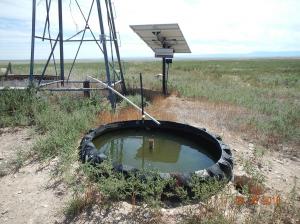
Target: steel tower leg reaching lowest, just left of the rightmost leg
(103, 41)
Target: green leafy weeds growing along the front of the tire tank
(148, 186)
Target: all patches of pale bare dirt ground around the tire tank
(30, 195)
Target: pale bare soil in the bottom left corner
(29, 194)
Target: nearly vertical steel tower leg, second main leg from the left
(61, 42)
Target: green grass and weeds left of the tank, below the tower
(59, 121)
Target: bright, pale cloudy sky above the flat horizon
(211, 27)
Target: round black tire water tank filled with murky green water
(172, 149)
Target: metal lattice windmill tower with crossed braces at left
(106, 42)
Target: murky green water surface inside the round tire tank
(170, 153)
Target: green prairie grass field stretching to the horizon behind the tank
(269, 89)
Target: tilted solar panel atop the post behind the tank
(158, 36)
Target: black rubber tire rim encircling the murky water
(221, 169)
